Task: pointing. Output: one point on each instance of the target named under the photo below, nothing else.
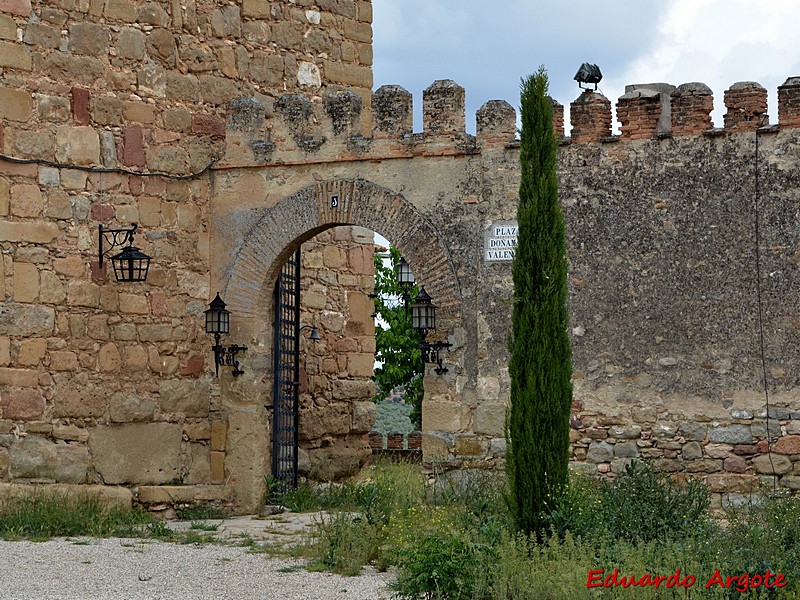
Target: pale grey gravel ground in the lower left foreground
(110, 569)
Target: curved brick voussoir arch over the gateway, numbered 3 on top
(299, 217)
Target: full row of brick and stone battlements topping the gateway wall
(301, 129)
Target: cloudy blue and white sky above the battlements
(488, 46)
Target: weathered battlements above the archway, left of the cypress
(300, 129)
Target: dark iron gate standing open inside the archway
(287, 371)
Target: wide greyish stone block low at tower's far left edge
(34, 457)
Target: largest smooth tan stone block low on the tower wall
(147, 453)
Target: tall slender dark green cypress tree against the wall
(537, 422)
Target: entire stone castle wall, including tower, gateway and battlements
(257, 116)
